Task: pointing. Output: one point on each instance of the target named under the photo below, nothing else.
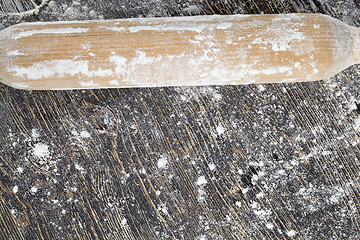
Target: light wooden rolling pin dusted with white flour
(191, 51)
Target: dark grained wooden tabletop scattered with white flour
(275, 161)
